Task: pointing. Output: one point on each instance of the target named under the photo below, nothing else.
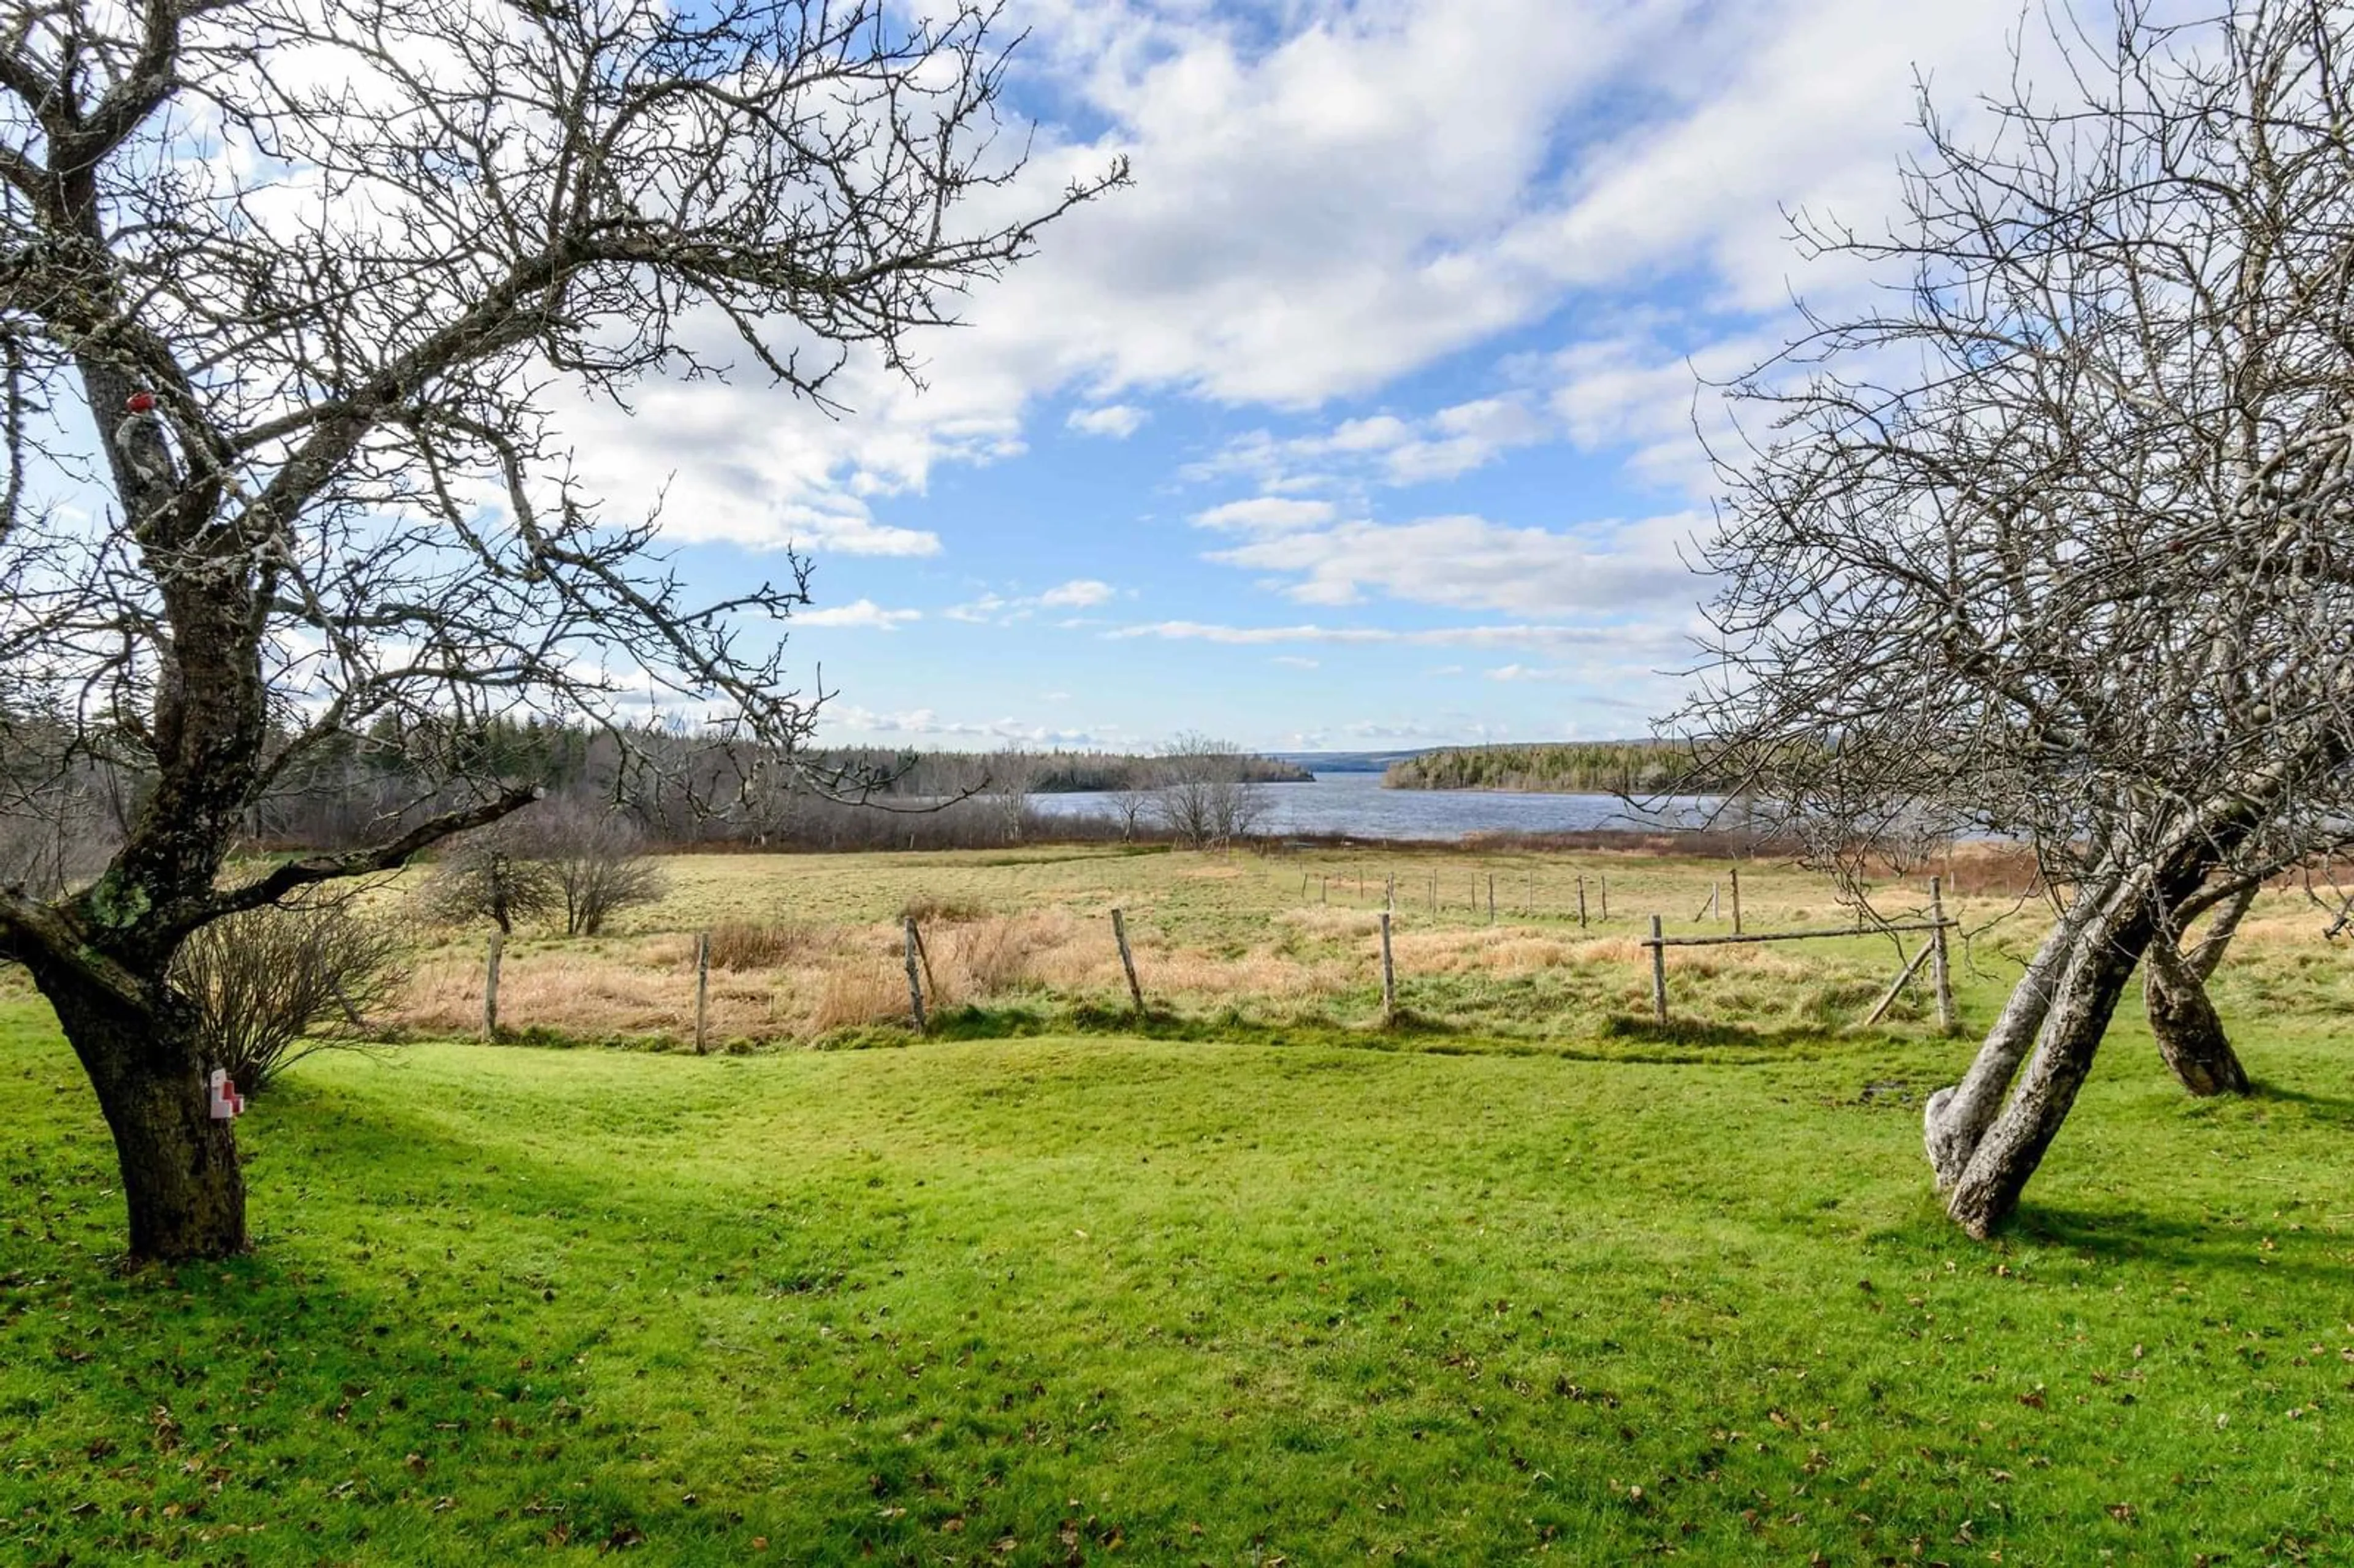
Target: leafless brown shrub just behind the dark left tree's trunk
(262, 978)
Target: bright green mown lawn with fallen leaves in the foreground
(1171, 1301)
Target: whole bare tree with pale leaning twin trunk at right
(2056, 540)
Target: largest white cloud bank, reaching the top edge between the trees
(1322, 213)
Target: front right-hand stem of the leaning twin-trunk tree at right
(2101, 962)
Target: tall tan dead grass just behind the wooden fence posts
(1206, 938)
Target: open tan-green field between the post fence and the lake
(811, 948)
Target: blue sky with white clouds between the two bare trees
(1366, 416)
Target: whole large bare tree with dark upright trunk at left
(317, 272)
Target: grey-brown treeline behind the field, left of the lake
(62, 811)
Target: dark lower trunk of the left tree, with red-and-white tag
(180, 1169)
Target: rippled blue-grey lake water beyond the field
(1355, 804)
